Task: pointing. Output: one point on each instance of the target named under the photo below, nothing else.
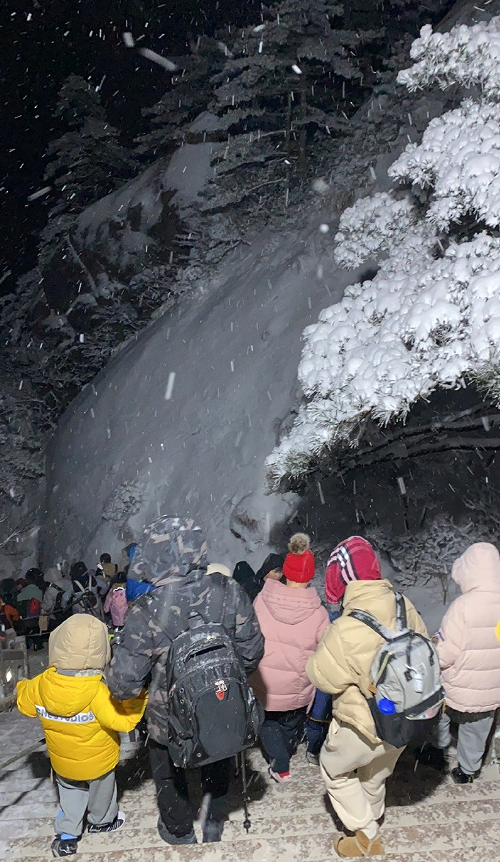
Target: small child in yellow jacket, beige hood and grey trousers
(81, 722)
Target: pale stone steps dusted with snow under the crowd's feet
(428, 818)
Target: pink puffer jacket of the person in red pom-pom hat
(292, 622)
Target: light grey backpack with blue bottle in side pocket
(407, 692)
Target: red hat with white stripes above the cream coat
(352, 560)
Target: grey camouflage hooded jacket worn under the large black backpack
(172, 556)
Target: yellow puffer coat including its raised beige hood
(80, 719)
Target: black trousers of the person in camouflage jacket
(172, 790)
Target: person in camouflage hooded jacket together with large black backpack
(196, 638)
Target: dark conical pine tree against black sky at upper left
(88, 160)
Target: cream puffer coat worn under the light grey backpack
(341, 664)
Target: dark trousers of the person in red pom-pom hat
(280, 735)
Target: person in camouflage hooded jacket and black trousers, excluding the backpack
(172, 556)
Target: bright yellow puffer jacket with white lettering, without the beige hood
(80, 720)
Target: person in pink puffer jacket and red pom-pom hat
(292, 620)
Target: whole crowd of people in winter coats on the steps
(314, 673)
